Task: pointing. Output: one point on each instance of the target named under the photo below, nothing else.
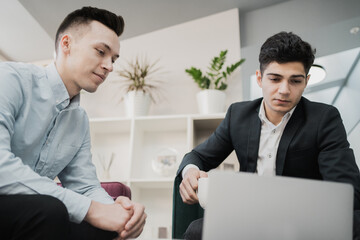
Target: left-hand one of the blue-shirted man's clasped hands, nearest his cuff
(110, 217)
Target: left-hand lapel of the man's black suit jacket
(253, 142)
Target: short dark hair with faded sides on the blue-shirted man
(87, 14)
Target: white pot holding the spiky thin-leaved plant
(137, 103)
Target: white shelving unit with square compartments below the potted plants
(134, 143)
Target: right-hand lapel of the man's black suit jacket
(292, 126)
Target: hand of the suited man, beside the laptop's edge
(189, 185)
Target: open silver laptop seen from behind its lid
(247, 206)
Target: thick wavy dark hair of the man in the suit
(286, 47)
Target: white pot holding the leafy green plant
(211, 101)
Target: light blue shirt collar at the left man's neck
(58, 88)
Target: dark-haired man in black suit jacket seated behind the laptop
(282, 133)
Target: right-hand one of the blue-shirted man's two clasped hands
(135, 225)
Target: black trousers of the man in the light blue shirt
(42, 217)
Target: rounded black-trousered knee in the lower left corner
(35, 217)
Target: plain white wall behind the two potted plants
(179, 47)
